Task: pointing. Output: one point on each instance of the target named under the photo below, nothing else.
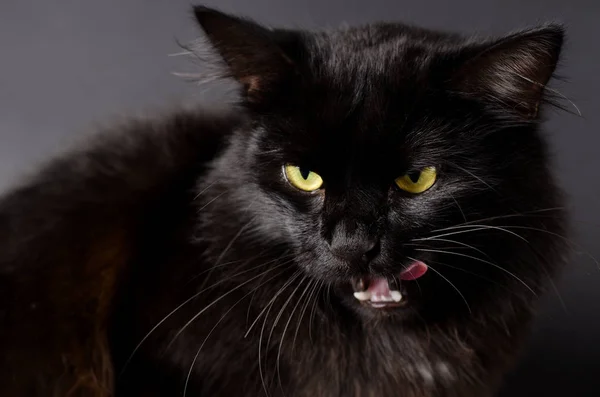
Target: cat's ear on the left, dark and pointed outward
(249, 50)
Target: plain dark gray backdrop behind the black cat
(68, 64)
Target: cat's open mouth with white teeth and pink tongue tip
(380, 292)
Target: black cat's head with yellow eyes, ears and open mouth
(399, 164)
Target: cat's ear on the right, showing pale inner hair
(513, 72)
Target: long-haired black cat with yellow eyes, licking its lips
(376, 217)
